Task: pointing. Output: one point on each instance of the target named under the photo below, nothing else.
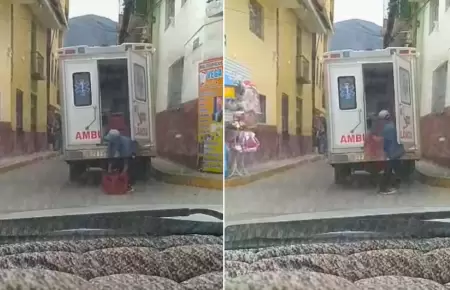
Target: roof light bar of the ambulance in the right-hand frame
(339, 54)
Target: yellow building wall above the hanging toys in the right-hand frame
(260, 56)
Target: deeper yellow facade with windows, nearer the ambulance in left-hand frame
(22, 68)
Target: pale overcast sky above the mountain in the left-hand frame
(105, 8)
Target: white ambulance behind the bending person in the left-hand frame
(99, 85)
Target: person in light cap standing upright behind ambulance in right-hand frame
(393, 151)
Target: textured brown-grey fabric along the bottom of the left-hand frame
(173, 262)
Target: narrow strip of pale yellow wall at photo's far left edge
(5, 61)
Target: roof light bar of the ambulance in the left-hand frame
(85, 49)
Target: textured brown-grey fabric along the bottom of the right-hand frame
(380, 265)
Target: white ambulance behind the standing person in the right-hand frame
(359, 84)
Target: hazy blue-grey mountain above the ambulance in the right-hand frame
(356, 34)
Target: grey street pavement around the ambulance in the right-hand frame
(311, 188)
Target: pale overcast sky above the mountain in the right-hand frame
(370, 10)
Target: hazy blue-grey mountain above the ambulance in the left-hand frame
(91, 30)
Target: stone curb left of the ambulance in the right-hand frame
(239, 181)
